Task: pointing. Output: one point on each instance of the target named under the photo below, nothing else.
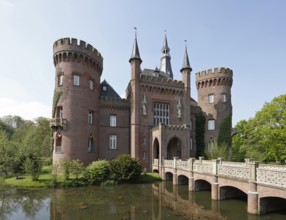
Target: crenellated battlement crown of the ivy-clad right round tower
(214, 73)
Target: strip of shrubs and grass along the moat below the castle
(122, 169)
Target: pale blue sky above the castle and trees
(247, 36)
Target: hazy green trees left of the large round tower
(21, 138)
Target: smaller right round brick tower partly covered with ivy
(214, 97)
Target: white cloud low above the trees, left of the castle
(26, 110)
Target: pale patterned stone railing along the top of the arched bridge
(274, 175)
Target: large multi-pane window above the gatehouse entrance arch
(161, 113)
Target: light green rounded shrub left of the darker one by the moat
(97, 172)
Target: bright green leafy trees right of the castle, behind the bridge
(263, 137)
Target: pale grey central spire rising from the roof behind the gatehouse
(166, 59)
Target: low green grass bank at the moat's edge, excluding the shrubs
(46, 179)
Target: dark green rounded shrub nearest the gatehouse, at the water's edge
(125, 169)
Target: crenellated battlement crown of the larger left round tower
(72, 45)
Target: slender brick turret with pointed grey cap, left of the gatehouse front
(135, 62)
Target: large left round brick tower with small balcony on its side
(75, 118)
